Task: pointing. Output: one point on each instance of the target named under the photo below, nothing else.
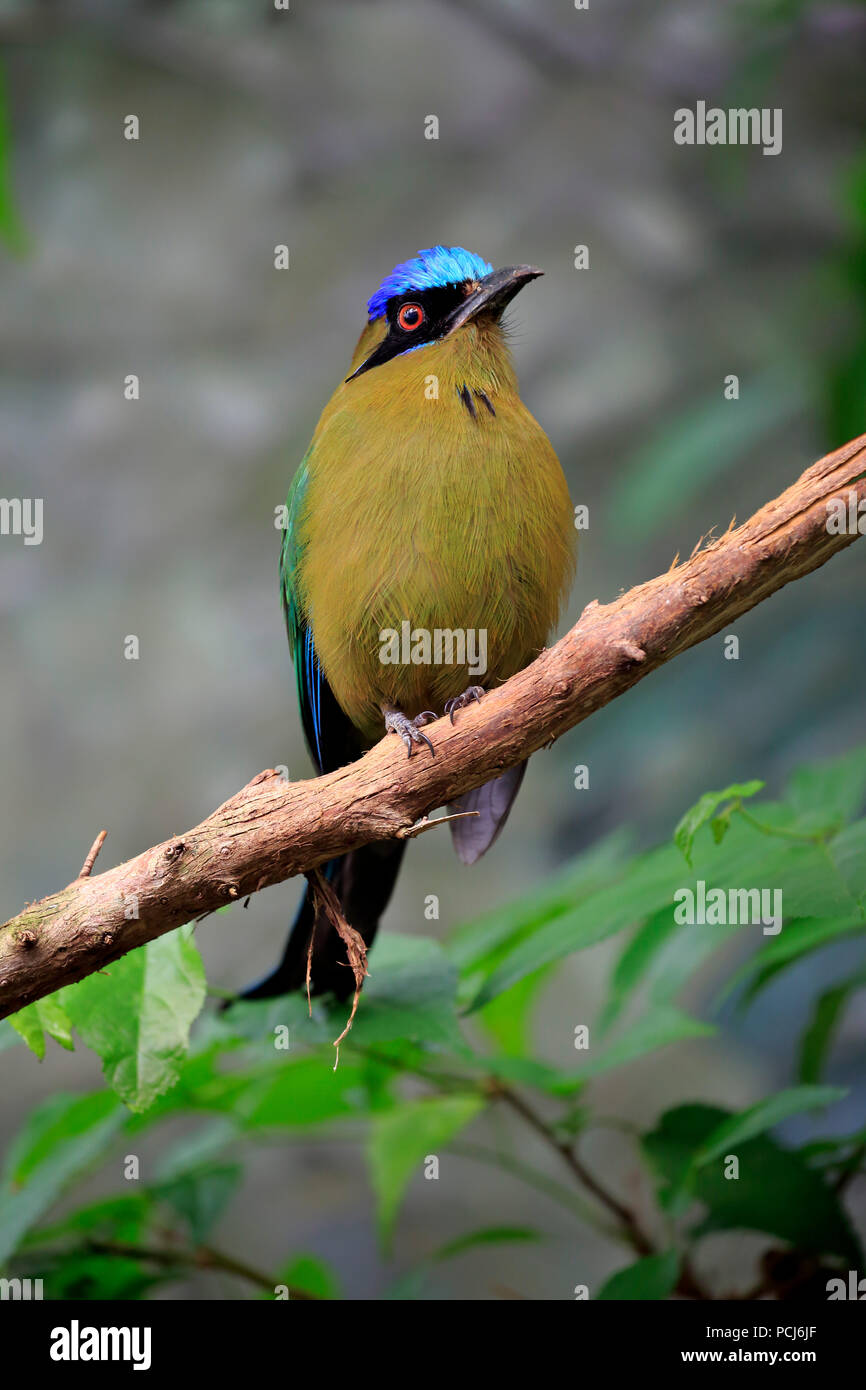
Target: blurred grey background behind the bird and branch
(156, 258)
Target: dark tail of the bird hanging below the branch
(363, 882)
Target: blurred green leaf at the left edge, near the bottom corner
(60, 1139)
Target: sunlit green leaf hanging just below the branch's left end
(138, 1015)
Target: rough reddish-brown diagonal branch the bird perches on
(273, 831)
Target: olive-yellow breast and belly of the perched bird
(436, 539)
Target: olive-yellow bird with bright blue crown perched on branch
(429, 501)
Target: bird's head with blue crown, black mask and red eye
(437, 294)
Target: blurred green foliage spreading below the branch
(422, 1065)
